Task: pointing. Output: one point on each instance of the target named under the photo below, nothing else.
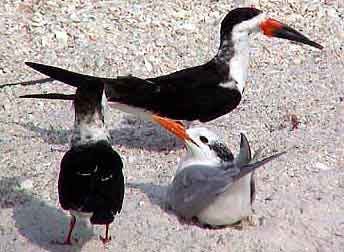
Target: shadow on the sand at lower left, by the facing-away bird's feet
(39, 222)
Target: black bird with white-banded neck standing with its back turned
(91, 182)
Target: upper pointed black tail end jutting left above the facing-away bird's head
(65, 76)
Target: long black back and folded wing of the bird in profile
(190, 94)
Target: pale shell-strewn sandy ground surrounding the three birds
(300, 202)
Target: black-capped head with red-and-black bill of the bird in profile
(241, 22)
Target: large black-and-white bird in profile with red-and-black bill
(201, 93)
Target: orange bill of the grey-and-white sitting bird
(175, 127)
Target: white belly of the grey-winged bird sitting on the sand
(231, 206)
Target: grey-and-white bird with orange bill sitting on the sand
(210, 184)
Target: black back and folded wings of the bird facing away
(91, 180)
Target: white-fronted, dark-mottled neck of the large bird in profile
(234, 52)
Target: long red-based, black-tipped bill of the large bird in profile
(273, 28)
